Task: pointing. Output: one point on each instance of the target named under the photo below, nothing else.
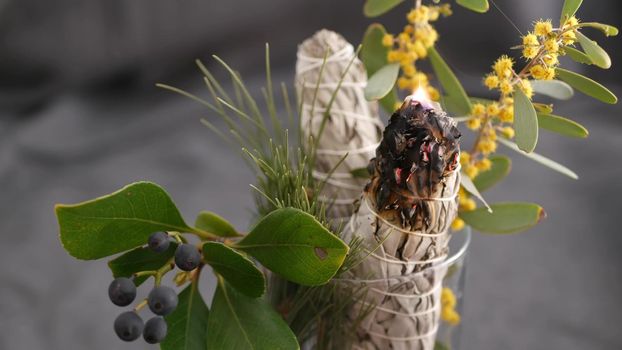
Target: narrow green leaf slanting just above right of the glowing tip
(456, 95)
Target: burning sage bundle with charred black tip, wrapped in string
(404, 218)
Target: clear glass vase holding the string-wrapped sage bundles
(443, 319)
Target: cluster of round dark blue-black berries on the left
(162, 300)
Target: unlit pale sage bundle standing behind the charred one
(352, 125)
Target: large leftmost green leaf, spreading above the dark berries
(117, 222)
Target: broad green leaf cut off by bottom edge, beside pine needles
(242, 323)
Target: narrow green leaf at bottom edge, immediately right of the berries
(187, 325)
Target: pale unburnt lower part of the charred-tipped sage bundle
(404, 298)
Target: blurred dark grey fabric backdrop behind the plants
(80, 117)
